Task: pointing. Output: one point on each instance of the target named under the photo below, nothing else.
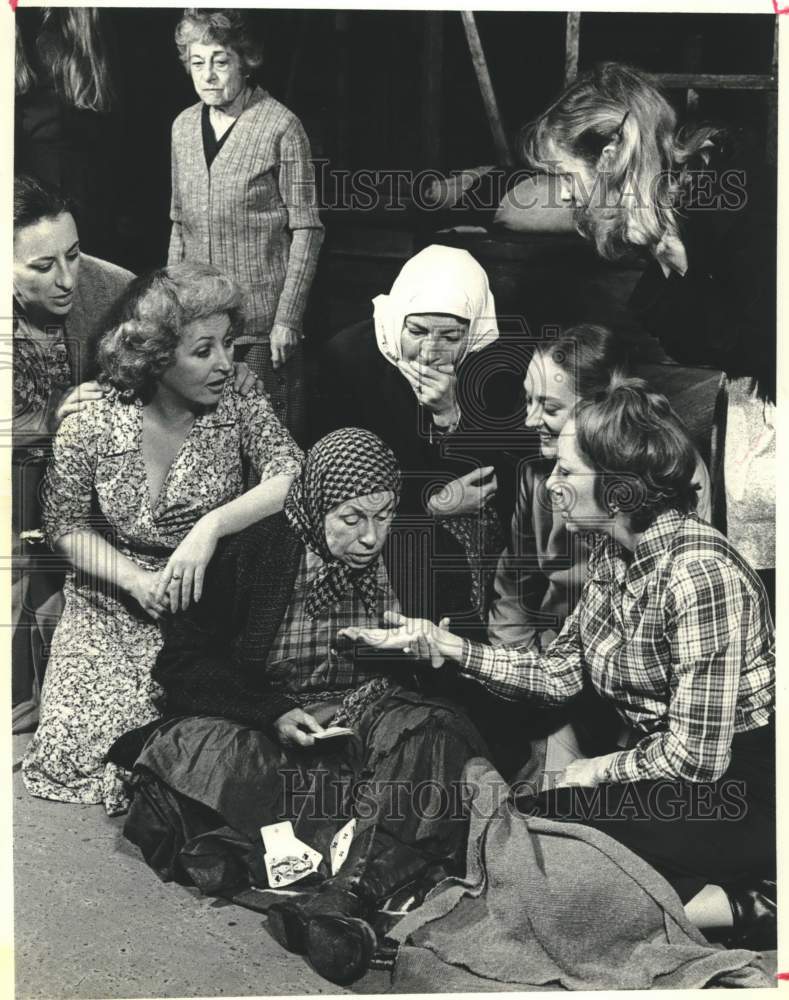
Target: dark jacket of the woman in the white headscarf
(357, 387)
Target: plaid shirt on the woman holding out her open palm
(679, 639)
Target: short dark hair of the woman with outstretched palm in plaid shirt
(644, 458)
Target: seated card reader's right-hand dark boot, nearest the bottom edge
(341, 946)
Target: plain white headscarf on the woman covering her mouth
(437, 280)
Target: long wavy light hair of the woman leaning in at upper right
(618, 122)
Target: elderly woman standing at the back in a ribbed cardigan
(243, 197)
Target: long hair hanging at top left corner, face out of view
(71, 49)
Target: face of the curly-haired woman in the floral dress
(202, 363)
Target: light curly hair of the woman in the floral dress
(146, 324)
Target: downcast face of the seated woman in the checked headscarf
(356, 529)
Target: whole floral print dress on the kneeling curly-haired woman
(98, 683)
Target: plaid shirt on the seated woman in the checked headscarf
(306, 658)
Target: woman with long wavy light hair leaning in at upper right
(703, 216)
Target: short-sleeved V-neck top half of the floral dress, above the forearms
(98, 454)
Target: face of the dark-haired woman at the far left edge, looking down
(46, 266)
